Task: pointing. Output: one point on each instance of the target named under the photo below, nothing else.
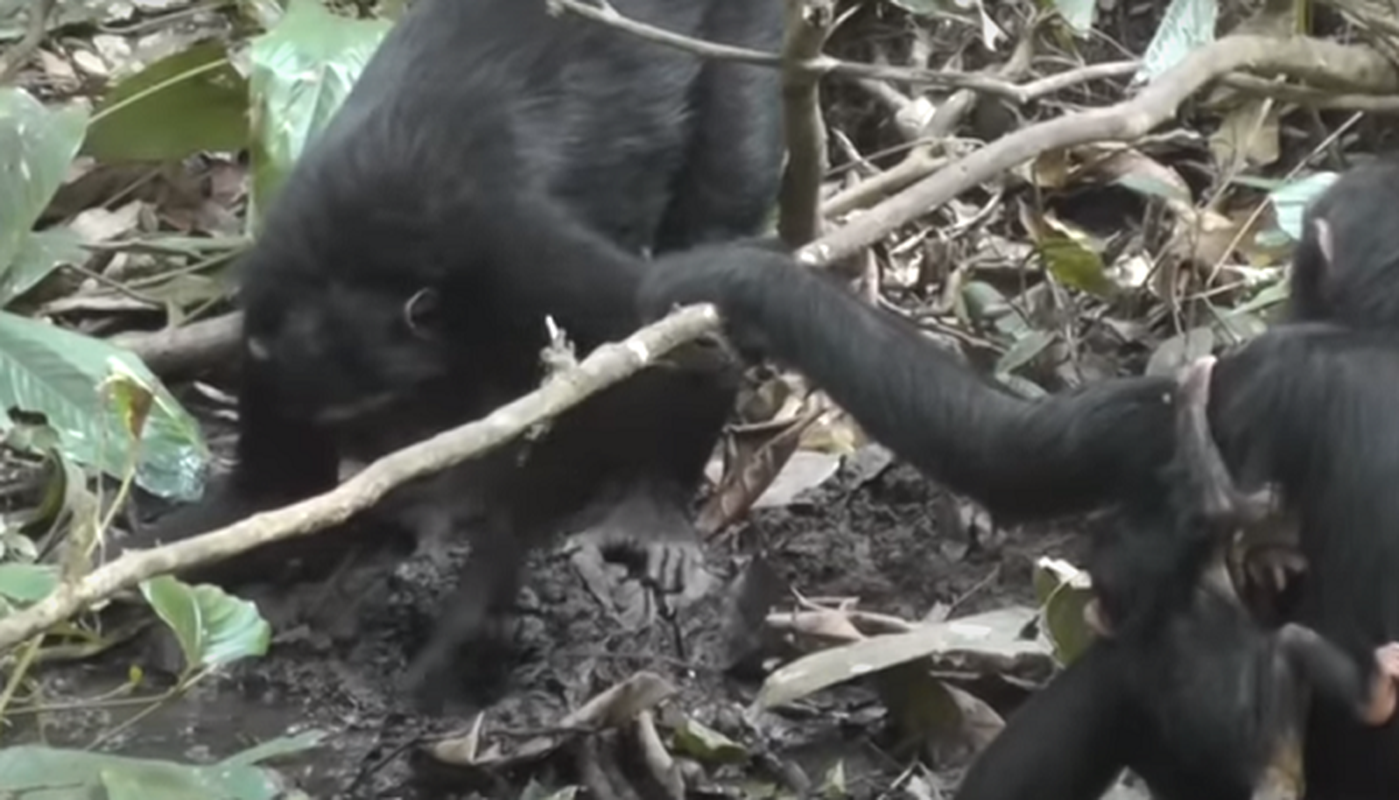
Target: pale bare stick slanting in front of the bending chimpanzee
(604, 367)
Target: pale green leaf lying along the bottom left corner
(33, 771)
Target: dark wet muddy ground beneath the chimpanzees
(876, 531)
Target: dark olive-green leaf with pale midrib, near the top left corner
(176, 107)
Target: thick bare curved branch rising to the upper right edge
(1123, 122)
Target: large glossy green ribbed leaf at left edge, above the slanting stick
(58, 373)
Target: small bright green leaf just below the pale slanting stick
(213, 627)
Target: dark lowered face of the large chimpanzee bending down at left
(335, 353)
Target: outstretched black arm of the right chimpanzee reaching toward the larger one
(1021, 458)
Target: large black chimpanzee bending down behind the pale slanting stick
(496, 169)
